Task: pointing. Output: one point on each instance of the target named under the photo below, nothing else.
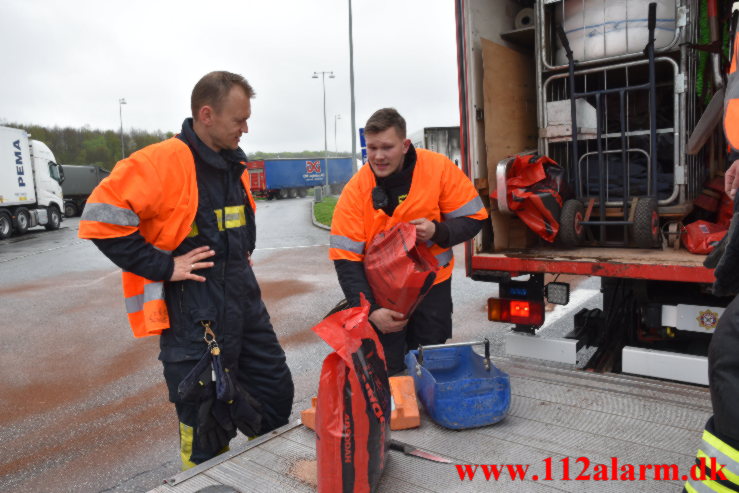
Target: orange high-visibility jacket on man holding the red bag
(439, 191)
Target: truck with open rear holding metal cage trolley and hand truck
(517, 86)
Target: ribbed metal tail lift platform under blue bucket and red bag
(555, 413)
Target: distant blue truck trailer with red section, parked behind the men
(289, 178)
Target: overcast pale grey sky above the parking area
(68, 62)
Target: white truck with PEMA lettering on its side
(30, 184)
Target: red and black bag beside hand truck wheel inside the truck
(534, 186)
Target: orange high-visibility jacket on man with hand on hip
(154, 192)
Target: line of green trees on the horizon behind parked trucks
(103, 147)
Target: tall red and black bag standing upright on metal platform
(353, 408)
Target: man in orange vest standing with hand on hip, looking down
(178, 218)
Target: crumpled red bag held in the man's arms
(399, 271)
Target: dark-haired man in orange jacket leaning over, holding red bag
(403, 184)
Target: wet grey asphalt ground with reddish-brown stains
(83, 405)
